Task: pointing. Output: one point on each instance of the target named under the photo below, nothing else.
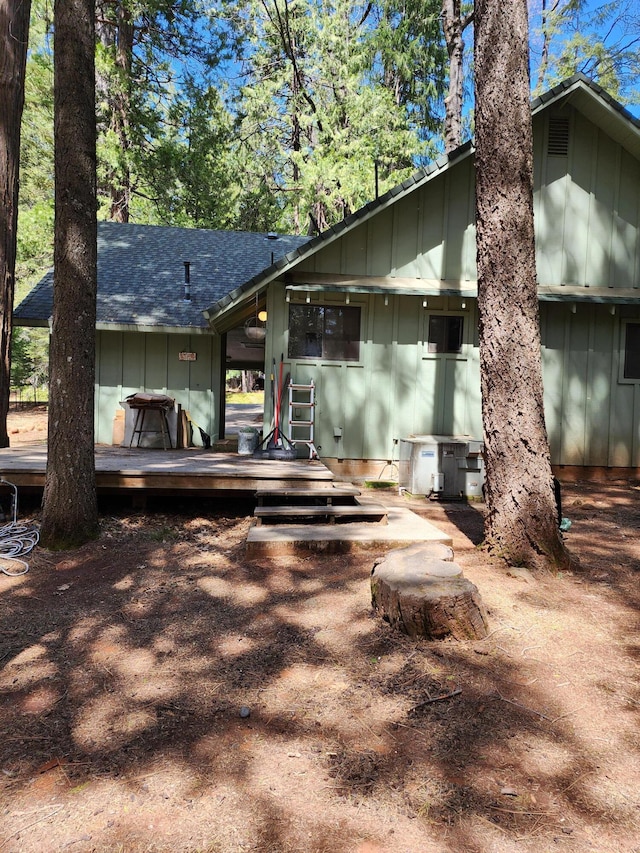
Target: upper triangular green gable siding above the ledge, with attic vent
(587, 219)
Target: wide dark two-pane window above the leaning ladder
(324, 331)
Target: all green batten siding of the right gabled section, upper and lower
(587, 219)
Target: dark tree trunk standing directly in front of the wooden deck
(70, 515)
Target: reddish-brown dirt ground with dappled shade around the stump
(160, 692)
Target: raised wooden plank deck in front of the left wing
(168, 471)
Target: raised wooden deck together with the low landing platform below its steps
(140, 472)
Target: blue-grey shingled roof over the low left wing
(141, 274)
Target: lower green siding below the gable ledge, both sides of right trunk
(398, 388)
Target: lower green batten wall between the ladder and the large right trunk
(396, 388)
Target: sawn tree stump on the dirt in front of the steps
(423, 594)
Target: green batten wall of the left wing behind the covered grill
(127, 362)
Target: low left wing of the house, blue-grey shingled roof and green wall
(151, 332)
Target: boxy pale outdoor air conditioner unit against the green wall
(442, 466)
